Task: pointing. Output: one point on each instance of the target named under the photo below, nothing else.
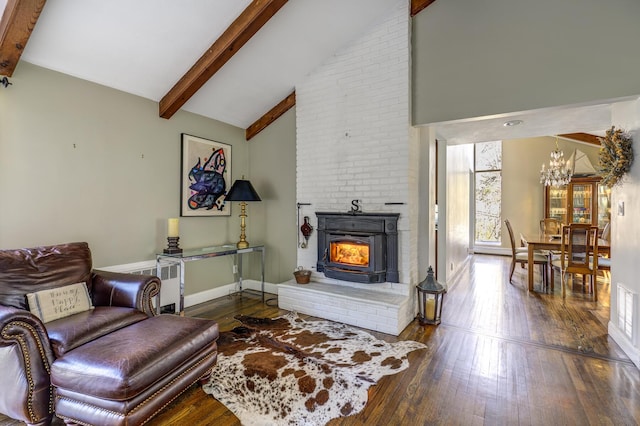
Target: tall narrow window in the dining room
(488, 191)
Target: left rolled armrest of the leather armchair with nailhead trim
(25, 360)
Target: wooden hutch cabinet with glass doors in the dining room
(583, 200)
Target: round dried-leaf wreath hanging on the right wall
(616, 156)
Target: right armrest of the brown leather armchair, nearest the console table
(126, 290)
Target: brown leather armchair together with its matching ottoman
(115, 364)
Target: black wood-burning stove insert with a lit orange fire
(358, 247)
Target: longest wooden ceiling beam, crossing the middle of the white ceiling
(239, 32)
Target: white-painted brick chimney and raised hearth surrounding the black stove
(354, 142)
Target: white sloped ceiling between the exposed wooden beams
(143, 47)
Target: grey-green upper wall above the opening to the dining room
(477, 58)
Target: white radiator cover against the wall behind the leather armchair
(169, 275)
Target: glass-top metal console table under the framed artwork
(190, 255)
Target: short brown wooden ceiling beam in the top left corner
(17, 23)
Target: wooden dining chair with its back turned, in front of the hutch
(578, 255)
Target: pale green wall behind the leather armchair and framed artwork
(82, 162)
